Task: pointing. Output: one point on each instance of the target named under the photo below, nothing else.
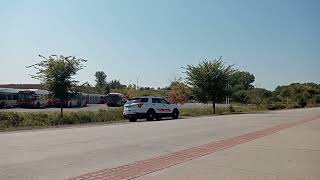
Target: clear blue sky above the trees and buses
(276, 40)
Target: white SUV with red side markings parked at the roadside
(149, 107)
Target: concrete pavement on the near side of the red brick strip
(291, 154)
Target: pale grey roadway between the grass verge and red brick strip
(69, 152)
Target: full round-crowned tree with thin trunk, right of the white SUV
(209, 80)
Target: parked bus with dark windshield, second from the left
(33, 98)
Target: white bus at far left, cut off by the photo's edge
(8, 97)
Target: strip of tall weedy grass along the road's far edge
(26, 120)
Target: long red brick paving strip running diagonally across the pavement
(140, 168)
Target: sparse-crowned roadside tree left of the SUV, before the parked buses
(57, 73)
